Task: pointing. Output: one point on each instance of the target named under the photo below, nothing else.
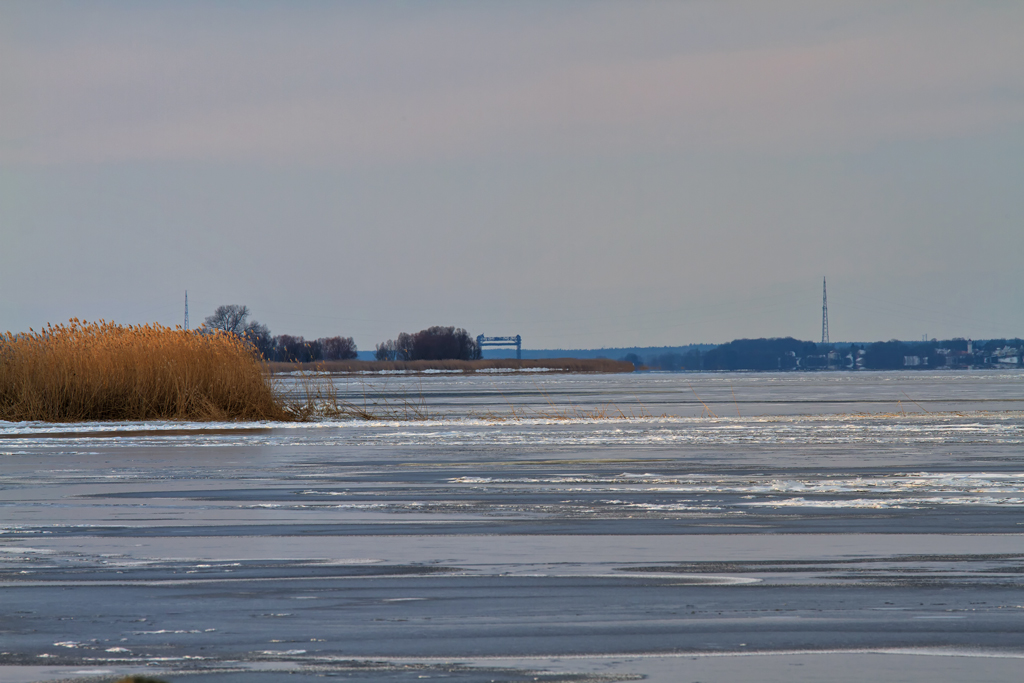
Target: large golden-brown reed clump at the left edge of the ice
(102, 371)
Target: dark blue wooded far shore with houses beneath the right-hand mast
(790, 354)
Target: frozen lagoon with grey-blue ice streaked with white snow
(840, 527)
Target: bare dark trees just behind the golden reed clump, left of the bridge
(283, 349)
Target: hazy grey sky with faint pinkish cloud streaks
(585, 175)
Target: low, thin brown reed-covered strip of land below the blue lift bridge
(455, 367)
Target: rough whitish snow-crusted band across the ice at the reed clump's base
(668, 432)
